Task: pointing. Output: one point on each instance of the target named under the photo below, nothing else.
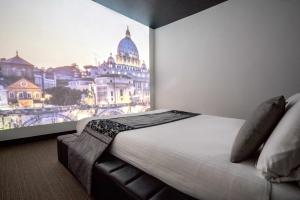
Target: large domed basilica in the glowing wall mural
(124, 80)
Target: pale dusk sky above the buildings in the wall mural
(62, 32)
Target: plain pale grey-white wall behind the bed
(229, 58)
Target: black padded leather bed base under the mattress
(114, 179)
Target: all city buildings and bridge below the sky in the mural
(31, 95)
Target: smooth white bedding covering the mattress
(192, 155)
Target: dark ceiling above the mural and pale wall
(157, 13)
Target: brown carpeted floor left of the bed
(31, 171)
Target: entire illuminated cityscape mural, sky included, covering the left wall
(108, 78)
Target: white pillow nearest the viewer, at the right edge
(279, 160)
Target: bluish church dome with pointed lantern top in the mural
(127, 47)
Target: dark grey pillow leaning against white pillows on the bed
(257, 129)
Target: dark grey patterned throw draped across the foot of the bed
(98, 134)
